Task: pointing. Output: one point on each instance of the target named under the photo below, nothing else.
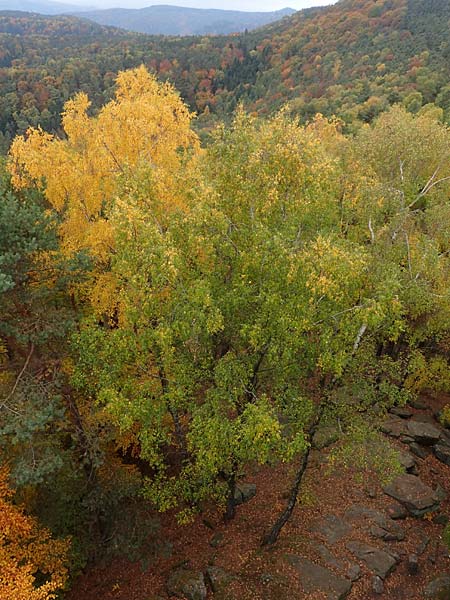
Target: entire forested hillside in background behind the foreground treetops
(354, 59)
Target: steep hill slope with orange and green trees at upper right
(354, 58)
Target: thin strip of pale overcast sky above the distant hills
(255, 5)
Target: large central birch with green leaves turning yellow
(228, 310)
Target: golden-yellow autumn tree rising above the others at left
(146, 124)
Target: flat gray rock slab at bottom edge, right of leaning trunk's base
(314, 578)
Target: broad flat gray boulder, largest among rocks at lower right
(413, 493)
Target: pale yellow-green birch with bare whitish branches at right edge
(402, 214)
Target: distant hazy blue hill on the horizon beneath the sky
(177, 20)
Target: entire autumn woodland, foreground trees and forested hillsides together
(171, 310)
